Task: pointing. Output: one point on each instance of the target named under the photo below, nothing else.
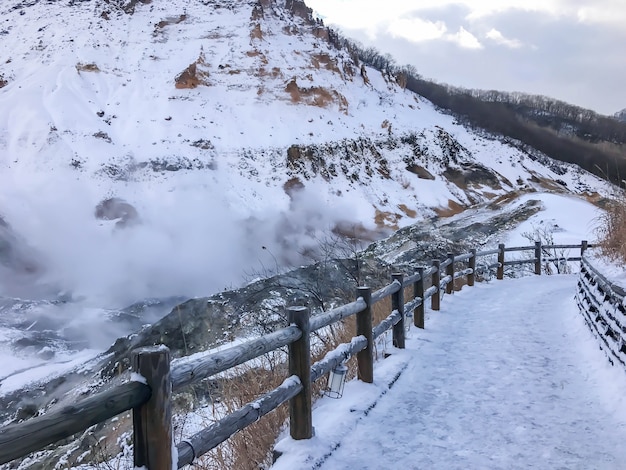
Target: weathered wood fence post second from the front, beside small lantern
(300, 414)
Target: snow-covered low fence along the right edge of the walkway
(602, 306)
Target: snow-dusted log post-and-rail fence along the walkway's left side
(152, 383)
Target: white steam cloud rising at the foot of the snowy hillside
(190, 241)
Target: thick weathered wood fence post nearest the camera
(152, 422)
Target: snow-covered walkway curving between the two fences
(506, 376)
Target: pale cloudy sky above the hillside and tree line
(573, 50)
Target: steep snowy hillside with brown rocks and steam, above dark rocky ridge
(227, 126)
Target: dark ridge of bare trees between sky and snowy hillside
(560, 130)
